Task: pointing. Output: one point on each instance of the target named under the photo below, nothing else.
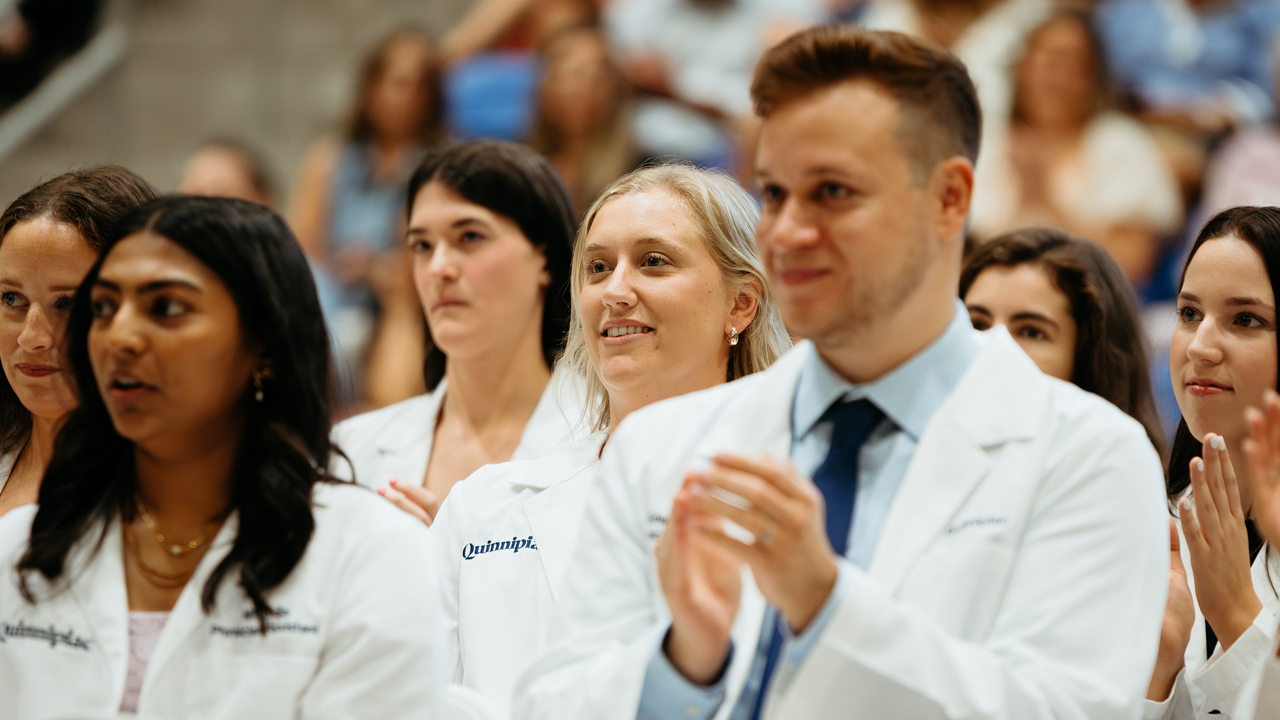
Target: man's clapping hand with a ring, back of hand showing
(792, 559)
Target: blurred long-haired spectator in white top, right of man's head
(1072, 163)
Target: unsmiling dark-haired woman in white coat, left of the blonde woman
(492, 227)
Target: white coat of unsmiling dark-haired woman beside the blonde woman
(396, 441)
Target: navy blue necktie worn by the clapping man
(852, 423)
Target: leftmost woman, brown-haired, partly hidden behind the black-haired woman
(49, 239)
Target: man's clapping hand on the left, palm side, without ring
(703, 587)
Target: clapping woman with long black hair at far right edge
(1223, 605)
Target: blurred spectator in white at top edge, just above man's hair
(988, 37)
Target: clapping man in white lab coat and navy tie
(903, 518)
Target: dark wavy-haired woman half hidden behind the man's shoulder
(1071, 308)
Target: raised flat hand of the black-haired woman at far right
(1219, 544)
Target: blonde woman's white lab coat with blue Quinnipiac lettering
(505, 537)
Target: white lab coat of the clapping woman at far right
(1222, 685)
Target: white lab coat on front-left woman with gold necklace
(359, 632)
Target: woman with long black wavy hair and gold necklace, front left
(190, 554)
